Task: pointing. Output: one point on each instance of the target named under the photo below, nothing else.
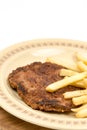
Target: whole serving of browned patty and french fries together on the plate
(55, 85)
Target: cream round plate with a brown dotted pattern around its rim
(25, 53)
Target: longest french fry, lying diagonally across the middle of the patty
(66, 81)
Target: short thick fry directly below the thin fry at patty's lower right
(79, 100)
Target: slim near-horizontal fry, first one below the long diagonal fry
(76, 93)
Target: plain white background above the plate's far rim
(22, 20)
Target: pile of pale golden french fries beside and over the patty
(74, 78)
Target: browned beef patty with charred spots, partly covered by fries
(30, 82)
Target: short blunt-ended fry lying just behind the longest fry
(67, 72)
